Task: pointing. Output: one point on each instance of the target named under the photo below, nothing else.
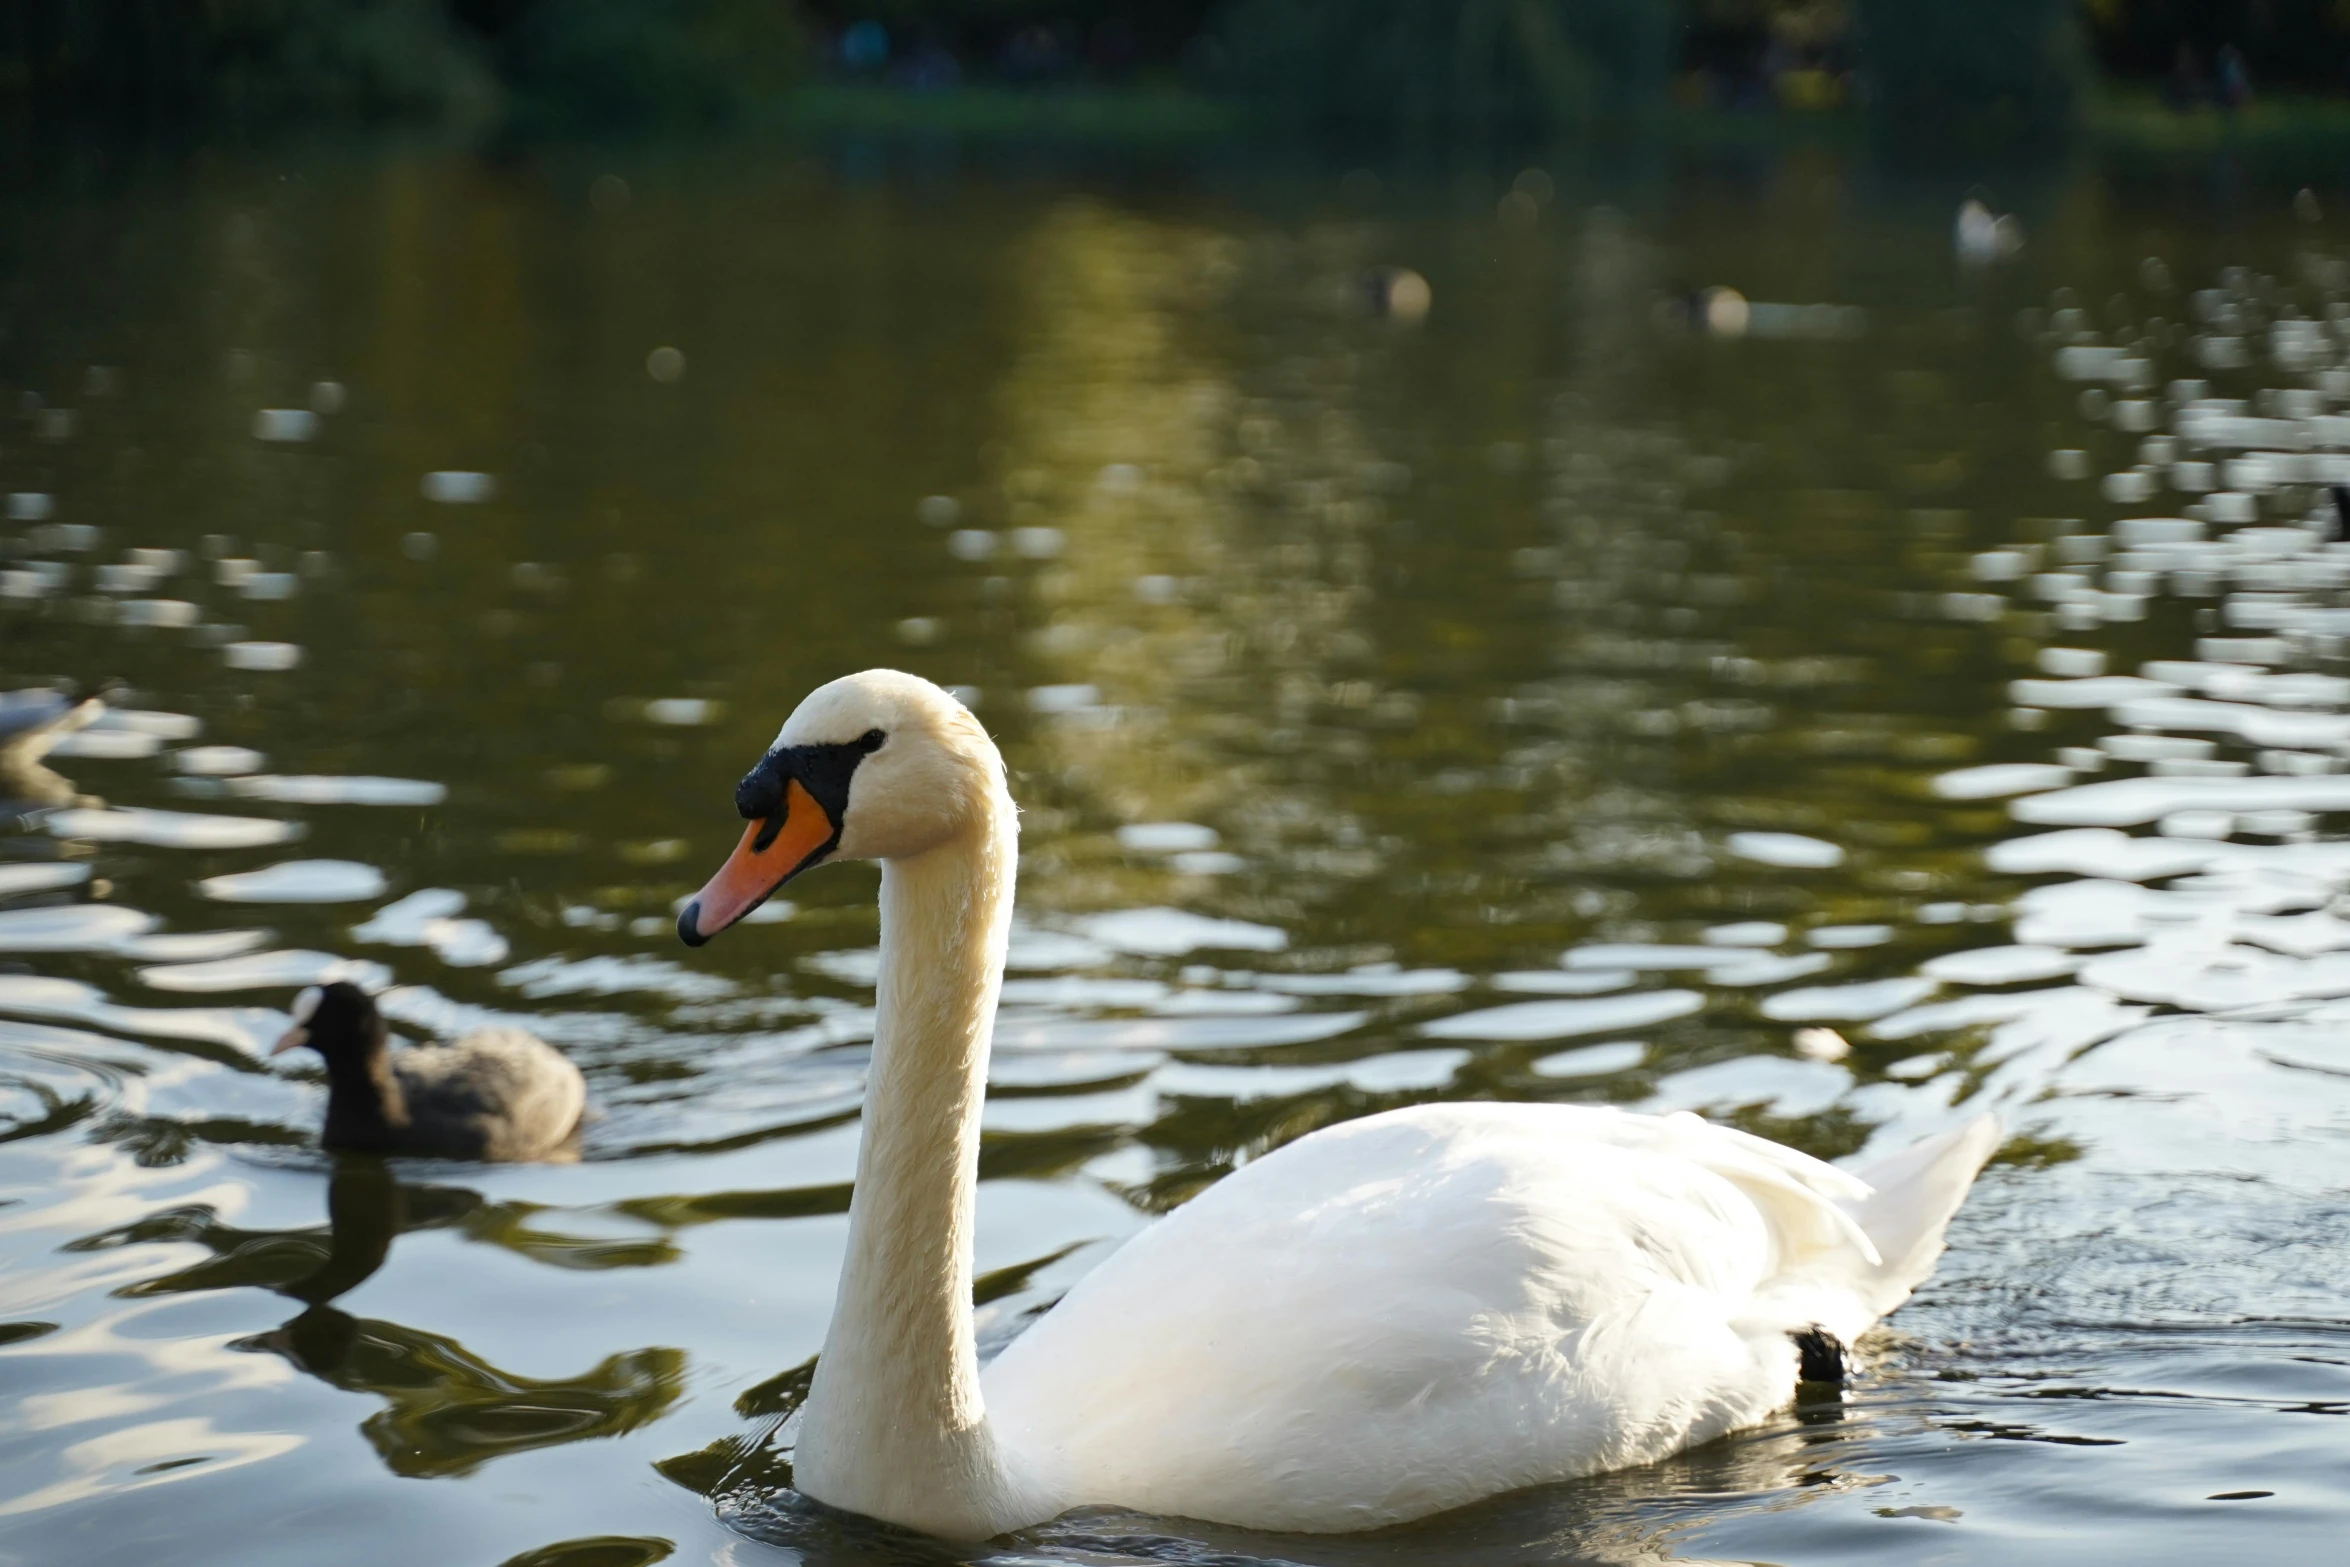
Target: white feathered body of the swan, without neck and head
(1418, 1310)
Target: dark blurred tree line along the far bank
(1376, 65)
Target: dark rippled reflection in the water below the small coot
(448, 1411)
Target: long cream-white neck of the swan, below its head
(894, 1423)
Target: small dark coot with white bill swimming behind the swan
(497, 1094)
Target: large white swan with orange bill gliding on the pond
(1374, 1324)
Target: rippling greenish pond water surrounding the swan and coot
(1573, 692)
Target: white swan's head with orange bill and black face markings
(873, 767)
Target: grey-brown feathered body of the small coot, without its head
(497, 1094)
